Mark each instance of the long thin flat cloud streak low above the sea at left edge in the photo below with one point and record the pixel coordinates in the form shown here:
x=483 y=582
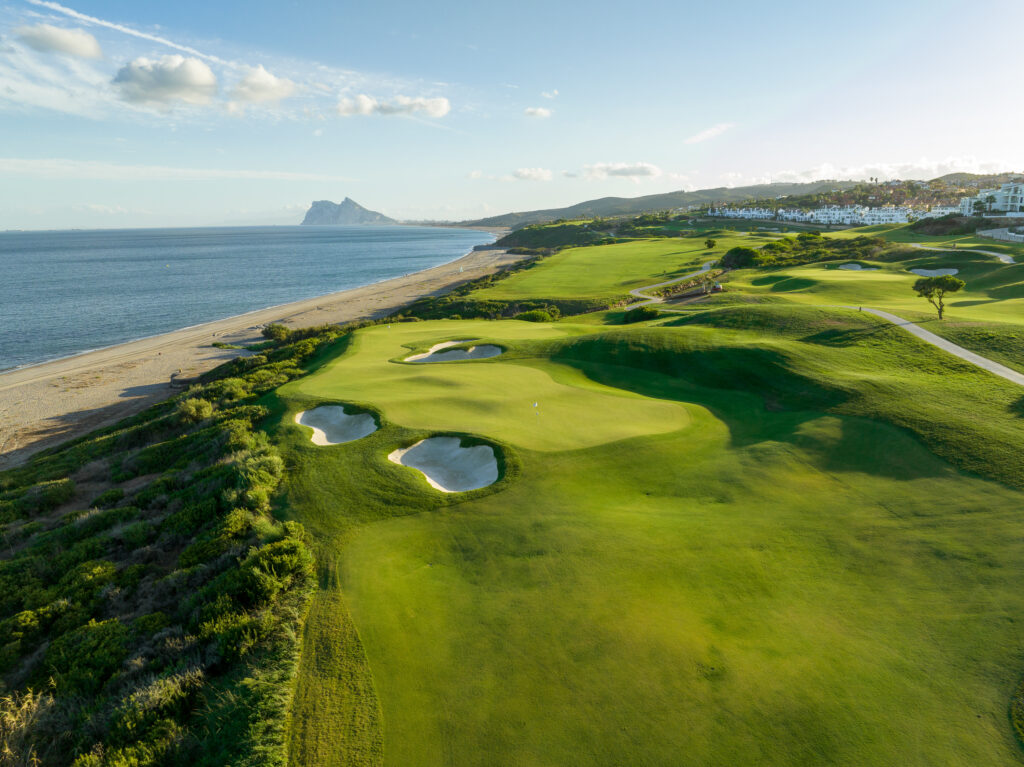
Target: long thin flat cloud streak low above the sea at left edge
x=98 y=172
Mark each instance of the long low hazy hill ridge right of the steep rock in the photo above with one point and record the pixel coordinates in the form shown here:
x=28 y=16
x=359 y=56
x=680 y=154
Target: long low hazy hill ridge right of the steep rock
x=619 y=206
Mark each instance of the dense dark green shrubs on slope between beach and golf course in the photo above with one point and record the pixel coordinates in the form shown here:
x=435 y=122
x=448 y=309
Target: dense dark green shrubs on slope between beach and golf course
x=133 y=690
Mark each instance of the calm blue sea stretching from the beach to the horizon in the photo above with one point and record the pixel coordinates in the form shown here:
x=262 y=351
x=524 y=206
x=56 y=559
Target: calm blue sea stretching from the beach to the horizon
x=67 y=292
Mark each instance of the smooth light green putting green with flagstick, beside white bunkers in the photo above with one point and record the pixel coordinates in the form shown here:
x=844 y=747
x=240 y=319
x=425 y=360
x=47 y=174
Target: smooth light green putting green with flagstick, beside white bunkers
x=490 y=398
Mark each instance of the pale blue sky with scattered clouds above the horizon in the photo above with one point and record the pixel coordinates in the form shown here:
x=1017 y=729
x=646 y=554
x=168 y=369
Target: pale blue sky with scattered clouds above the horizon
x=120 y=114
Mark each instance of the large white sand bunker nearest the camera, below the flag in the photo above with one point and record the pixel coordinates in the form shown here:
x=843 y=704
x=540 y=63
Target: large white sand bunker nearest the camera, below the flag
x=448 y=466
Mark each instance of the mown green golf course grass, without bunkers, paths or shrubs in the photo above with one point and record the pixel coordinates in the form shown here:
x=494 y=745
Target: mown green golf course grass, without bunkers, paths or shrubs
x=761 y=529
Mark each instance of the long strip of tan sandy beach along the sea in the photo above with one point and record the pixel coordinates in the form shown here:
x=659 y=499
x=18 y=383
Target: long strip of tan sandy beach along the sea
x=47 y=404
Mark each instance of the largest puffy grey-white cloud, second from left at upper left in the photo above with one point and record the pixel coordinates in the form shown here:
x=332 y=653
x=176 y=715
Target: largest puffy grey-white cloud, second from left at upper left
x=170 y=78
